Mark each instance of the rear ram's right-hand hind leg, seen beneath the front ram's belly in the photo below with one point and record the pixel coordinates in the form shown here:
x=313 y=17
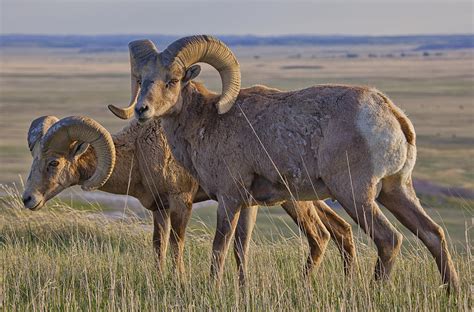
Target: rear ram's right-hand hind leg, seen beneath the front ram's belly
x=341 y=233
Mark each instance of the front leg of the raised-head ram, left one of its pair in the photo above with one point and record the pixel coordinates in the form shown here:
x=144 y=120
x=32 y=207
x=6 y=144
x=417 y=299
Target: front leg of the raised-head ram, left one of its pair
x=227 y=216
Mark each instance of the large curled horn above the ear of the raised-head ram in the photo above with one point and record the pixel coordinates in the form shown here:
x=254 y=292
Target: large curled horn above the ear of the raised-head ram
x=207 y=49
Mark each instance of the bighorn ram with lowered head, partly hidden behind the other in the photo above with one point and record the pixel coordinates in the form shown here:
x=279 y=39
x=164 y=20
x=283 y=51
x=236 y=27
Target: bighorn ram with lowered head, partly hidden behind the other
x=138 y=161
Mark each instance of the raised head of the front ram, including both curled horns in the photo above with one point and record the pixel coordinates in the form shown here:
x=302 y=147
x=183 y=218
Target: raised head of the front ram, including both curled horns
x=158 y=78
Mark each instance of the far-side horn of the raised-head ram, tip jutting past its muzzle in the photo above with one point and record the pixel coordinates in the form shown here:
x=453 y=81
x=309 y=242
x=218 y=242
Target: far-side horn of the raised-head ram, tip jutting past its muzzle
x=140 y=53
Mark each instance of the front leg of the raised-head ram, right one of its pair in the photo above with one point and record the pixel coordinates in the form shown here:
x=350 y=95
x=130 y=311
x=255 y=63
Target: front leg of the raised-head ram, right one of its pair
x=243 y=234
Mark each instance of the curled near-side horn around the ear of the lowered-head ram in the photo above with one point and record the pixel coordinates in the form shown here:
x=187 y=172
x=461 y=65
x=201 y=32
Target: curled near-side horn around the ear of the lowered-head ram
x=60 y=136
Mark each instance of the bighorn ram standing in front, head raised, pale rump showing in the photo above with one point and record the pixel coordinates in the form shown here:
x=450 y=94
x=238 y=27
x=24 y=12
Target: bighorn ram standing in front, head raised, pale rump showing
x=346 y=142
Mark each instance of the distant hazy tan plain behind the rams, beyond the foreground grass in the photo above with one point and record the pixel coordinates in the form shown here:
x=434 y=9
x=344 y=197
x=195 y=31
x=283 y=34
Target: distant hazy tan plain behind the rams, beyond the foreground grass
x=435 y=91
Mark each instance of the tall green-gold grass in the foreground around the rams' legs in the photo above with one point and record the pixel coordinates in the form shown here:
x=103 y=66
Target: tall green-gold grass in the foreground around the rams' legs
x=69 y=260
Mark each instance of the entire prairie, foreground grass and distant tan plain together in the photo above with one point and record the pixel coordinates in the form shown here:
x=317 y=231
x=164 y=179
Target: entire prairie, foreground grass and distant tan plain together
x=75 y=257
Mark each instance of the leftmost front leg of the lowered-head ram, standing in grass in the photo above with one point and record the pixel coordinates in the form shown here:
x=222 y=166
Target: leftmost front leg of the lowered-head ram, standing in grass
x=161 y=232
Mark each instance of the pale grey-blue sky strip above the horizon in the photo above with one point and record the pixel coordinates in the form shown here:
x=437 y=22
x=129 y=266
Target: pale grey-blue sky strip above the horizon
x=261 y=17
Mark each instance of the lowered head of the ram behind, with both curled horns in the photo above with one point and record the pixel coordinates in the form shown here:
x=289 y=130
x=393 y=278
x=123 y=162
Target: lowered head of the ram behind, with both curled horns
x=57 y=146
